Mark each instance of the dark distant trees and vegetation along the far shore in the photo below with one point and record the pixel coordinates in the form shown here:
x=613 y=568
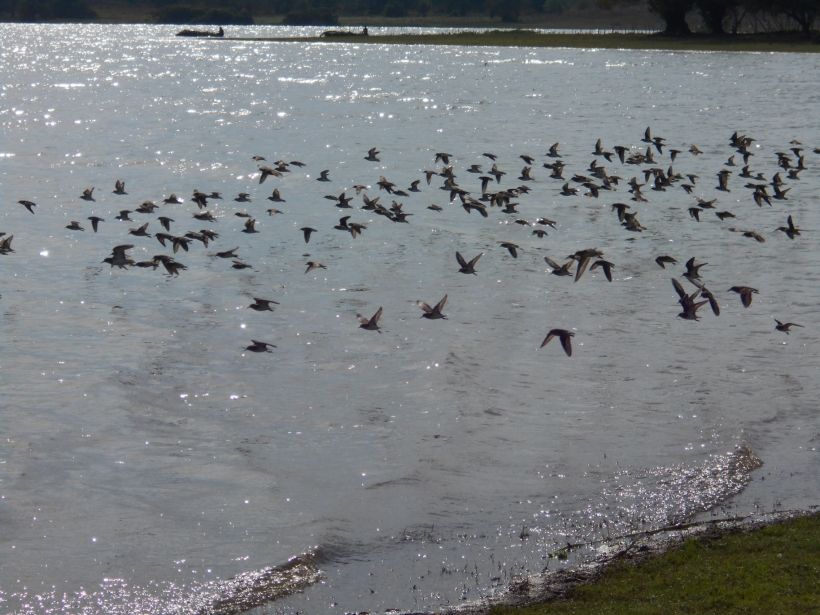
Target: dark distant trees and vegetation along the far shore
x=717 y=17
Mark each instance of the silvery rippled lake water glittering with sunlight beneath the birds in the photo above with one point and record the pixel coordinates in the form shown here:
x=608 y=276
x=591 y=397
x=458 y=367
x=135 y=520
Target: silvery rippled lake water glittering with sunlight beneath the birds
x=146 y=457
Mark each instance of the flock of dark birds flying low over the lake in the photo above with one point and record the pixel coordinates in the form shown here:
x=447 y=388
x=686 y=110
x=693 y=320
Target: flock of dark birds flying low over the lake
x=597 y=181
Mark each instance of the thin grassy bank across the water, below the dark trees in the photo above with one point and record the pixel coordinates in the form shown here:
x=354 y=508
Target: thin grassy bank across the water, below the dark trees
x=785 y=42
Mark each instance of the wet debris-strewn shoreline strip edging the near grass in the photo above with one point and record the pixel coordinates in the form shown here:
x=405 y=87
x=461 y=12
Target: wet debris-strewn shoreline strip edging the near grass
x=635 y=550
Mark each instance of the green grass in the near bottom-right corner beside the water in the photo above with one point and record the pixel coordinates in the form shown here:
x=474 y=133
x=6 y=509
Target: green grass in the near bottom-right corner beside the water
x=771 y=571
